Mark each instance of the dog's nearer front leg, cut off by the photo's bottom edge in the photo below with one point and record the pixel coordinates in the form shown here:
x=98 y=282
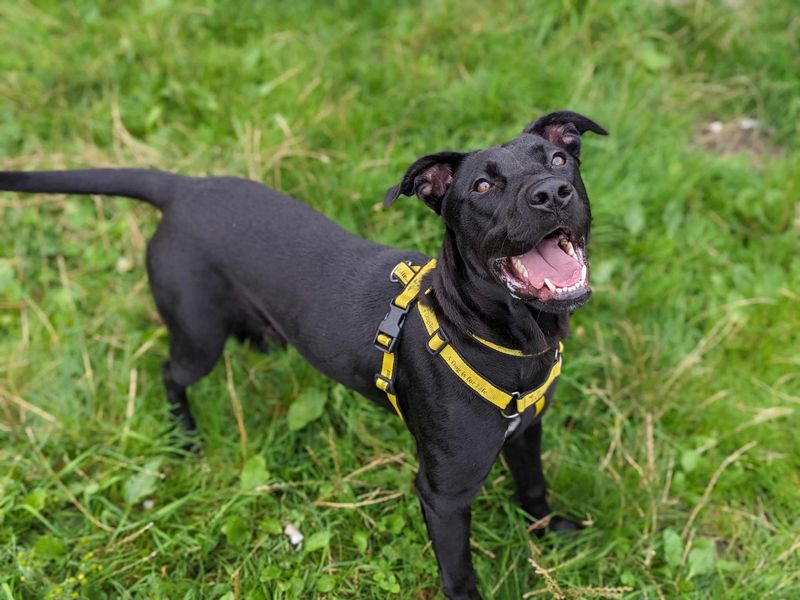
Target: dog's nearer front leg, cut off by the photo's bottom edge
x=447 y=517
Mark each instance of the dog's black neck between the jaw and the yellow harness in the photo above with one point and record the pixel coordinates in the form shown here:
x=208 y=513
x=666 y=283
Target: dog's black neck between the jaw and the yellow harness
x=469 y=300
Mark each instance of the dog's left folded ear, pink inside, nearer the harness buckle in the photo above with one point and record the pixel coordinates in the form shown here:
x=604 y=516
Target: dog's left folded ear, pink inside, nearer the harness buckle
x=429 y=178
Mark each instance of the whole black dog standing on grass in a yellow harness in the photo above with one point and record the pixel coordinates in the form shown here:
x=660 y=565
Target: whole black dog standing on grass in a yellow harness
x=232 y=256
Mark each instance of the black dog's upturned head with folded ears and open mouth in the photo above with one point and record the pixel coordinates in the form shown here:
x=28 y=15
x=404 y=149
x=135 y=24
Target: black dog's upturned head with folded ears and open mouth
x=519 y=211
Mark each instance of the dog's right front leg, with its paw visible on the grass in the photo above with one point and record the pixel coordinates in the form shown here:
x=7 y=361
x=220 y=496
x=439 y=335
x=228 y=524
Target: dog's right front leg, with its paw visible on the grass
x=523 y=453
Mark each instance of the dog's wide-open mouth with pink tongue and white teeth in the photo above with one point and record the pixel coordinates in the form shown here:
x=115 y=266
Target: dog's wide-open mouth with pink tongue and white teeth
x=555 y=269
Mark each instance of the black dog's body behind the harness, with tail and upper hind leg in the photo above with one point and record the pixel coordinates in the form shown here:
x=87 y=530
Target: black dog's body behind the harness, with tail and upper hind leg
x=234 y=257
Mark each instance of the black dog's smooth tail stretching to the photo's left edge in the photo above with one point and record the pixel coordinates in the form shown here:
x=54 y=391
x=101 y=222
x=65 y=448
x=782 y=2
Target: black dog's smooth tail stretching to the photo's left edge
x=154 y=187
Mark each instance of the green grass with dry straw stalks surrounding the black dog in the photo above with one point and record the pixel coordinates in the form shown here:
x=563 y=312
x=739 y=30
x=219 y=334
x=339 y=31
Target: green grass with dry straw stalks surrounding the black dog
x=675 y=428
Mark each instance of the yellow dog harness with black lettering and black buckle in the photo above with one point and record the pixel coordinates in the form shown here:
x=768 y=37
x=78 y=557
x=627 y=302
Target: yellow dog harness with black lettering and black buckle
x=388 y=335
